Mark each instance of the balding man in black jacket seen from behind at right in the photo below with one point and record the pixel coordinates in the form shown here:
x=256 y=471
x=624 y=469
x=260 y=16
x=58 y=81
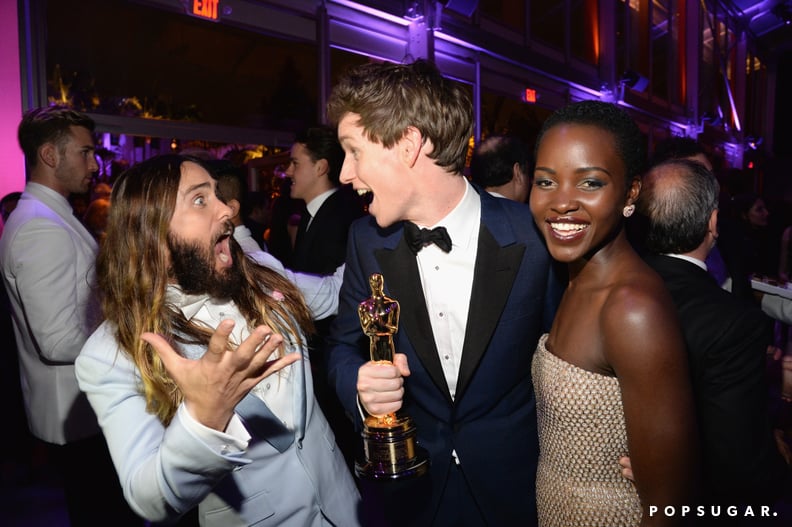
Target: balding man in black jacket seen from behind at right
x=726 y=339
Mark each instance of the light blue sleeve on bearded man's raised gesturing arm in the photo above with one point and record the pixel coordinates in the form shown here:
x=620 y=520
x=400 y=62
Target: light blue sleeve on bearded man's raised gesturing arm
x=164 y=471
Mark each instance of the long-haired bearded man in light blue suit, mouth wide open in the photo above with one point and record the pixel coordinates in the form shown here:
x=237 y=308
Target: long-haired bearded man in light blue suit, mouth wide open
x=198 y=374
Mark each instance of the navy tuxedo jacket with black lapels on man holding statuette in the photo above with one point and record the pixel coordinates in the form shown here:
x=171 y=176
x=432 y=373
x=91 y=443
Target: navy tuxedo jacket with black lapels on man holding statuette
x=491 y=423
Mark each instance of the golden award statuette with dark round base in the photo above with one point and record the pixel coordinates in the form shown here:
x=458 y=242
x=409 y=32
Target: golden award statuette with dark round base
x=389 y=442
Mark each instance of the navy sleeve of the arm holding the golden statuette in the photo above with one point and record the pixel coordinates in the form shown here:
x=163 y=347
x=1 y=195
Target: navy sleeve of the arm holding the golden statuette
x=347 y=345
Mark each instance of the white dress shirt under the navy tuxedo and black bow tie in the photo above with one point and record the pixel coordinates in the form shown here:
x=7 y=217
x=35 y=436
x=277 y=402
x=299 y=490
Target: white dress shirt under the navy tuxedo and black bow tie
x=447 y=280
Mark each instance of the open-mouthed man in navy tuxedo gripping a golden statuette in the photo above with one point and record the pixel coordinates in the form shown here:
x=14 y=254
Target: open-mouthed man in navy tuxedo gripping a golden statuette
x=473 y=302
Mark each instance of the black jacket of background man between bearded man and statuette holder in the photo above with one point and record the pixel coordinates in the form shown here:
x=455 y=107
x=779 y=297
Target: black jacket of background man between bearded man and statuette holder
x=322 y=248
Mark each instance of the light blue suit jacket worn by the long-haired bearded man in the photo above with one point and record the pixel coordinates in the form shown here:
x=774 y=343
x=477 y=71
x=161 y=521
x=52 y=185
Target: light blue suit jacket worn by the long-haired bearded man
x=166 y=471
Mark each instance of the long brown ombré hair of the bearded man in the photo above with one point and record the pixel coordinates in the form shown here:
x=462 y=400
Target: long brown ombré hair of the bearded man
x=132 y=273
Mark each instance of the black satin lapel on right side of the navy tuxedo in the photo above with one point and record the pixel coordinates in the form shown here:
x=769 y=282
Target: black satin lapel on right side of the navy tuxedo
x=493 y=277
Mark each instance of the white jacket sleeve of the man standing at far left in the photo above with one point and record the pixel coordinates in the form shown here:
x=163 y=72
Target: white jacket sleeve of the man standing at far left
x=43 y=258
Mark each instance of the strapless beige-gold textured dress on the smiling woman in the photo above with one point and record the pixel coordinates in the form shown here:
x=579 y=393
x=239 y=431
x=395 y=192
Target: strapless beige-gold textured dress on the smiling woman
x=582 y=434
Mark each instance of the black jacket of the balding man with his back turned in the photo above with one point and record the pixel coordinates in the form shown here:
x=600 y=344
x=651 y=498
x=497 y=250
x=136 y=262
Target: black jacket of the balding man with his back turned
x=726 y=340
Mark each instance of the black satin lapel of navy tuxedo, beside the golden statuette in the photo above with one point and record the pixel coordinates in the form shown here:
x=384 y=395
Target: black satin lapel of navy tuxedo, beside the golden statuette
x=403 y=283
